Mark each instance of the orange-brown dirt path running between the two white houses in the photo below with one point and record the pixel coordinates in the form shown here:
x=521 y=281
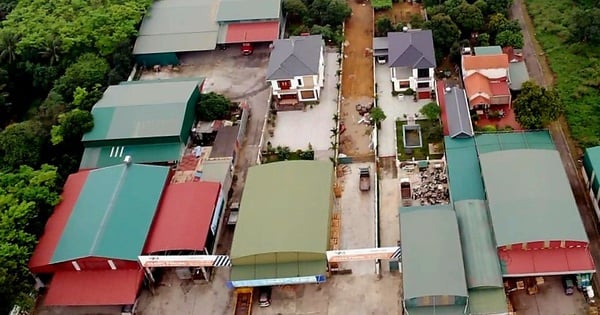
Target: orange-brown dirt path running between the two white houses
x=357 y=80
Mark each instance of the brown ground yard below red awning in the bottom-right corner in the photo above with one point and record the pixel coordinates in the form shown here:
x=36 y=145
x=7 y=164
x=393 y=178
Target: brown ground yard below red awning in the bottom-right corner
x=550 y=300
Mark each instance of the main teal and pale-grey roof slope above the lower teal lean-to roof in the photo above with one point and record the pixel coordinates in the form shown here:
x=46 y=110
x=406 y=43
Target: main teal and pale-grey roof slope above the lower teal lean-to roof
x=144 y=110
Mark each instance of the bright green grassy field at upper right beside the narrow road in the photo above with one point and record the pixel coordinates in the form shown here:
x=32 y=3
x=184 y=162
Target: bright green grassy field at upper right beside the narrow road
x=576 y=66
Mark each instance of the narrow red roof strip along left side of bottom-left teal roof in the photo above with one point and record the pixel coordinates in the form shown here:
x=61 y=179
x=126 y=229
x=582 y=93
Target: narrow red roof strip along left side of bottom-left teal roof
x=39 y=262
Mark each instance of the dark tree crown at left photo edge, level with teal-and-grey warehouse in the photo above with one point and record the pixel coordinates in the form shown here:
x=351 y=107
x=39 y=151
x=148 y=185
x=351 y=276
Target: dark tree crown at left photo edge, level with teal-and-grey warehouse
x=21 y=144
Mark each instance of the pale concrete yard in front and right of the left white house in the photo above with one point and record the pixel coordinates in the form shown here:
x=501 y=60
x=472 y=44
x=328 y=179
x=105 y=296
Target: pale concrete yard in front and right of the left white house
x=296 y=129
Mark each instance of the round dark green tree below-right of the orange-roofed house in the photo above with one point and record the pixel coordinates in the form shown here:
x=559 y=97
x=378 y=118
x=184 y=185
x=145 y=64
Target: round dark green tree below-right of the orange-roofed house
x=536 y=106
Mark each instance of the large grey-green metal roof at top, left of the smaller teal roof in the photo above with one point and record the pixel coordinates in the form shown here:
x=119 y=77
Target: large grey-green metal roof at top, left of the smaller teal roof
x=178 y=25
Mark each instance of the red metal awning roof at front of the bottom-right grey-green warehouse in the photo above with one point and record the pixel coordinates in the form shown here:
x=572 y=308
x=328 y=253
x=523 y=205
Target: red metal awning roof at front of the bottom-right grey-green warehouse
x=547 y=261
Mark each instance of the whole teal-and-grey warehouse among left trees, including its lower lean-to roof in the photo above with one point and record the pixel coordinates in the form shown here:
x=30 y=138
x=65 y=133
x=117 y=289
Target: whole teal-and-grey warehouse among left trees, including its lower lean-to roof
x=148 y=120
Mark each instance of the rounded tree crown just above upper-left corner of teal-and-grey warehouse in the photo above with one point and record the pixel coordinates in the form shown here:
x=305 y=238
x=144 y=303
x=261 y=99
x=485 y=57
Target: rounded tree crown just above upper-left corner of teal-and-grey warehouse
x=88 y=71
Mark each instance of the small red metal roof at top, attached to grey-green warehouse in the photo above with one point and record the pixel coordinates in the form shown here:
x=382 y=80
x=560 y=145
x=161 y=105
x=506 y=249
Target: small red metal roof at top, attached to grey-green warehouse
x=252 y=32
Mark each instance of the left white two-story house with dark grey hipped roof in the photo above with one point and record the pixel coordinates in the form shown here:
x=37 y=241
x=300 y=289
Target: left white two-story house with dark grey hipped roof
x=296 y=71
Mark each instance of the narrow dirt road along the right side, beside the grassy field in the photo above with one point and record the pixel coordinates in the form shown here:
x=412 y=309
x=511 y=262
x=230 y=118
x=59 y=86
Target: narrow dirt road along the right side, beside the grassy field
x=540 y=72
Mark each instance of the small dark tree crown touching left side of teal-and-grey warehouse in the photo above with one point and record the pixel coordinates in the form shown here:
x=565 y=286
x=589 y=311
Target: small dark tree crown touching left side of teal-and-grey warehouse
x=71 y=126
